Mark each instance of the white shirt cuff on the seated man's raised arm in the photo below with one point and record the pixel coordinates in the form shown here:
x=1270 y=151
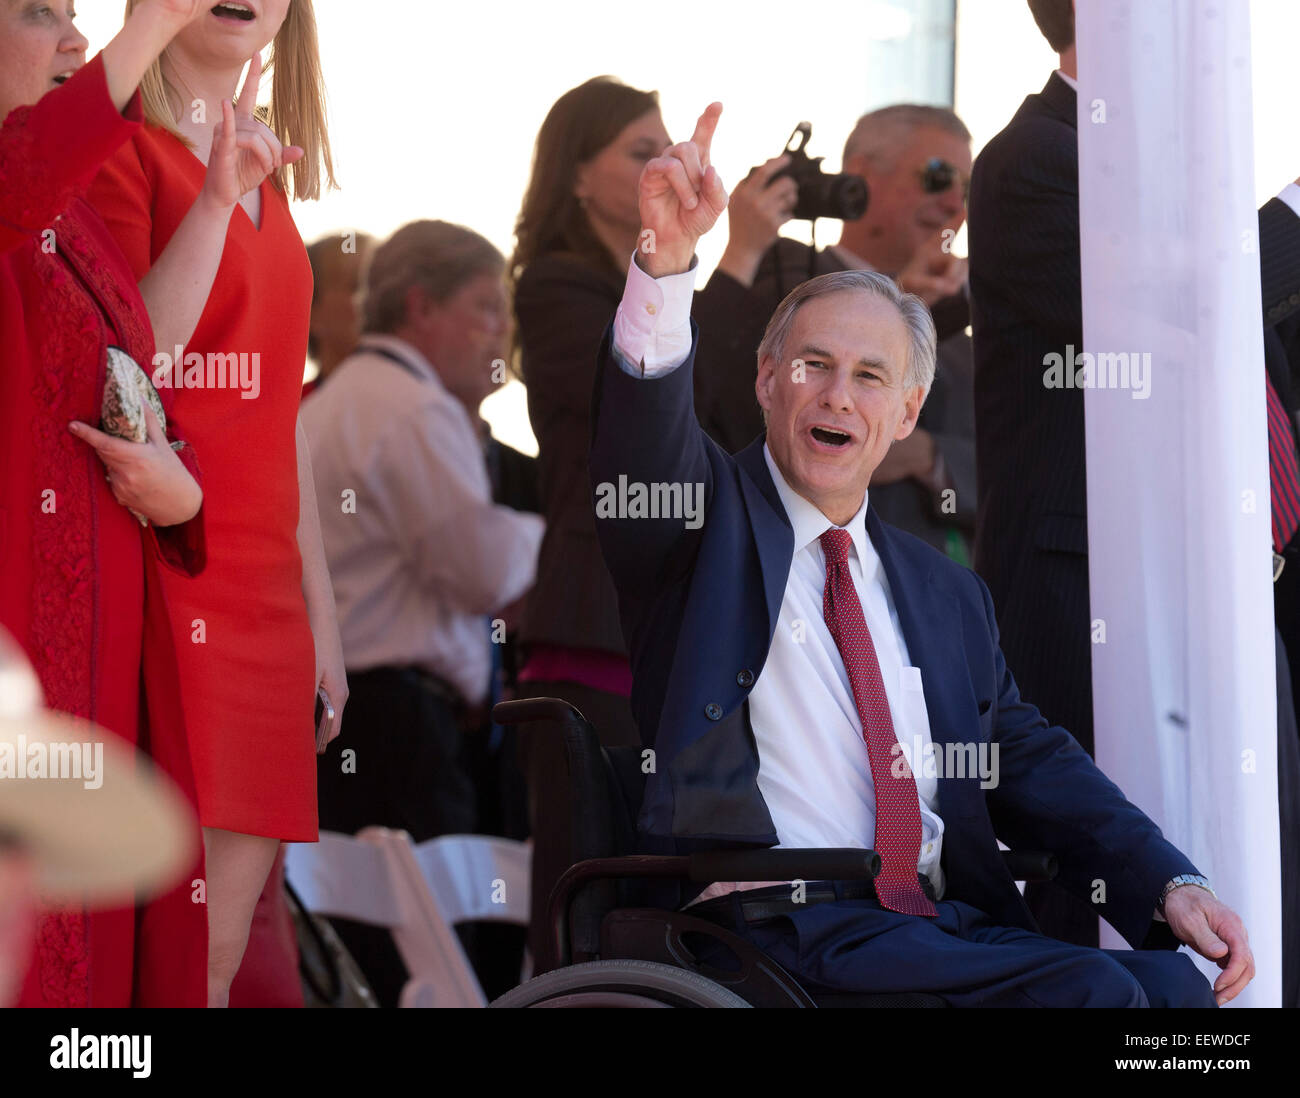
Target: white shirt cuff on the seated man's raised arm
x=652 y=328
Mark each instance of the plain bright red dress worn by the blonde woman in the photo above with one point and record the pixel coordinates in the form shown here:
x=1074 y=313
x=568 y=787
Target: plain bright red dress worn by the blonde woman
x=242 y=637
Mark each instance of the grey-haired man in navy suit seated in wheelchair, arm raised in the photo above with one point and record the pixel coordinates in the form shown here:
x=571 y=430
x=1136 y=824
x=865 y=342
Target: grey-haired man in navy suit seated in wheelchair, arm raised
x=796 y=662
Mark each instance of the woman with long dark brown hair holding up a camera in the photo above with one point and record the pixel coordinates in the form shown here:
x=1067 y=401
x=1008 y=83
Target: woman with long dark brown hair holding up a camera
x=577 y=233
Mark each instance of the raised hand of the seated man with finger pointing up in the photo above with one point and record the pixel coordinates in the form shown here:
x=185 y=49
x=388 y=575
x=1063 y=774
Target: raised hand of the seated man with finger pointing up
x=681 y=198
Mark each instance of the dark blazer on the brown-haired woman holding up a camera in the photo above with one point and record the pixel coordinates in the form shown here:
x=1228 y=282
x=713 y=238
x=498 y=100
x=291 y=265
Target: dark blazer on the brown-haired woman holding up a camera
x=562 y=307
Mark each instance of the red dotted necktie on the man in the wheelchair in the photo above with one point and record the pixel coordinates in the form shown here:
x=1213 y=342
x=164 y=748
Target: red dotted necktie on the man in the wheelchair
x=898 y=805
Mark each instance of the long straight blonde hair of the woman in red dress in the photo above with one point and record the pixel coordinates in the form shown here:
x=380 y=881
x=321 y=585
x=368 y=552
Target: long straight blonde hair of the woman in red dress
x=297 y=114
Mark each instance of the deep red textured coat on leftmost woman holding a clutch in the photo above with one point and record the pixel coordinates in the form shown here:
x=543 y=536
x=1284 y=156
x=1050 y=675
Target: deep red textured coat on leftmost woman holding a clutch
x=79 y=578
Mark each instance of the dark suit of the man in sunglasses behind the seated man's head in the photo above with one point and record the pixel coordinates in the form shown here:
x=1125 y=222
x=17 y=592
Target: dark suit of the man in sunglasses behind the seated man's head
x=729 y=409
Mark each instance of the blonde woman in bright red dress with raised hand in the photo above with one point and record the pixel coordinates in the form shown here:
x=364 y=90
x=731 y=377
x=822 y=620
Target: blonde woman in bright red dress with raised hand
x=255 y=633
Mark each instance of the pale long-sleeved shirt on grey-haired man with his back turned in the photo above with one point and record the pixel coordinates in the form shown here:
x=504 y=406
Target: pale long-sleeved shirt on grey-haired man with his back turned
x=418 y=552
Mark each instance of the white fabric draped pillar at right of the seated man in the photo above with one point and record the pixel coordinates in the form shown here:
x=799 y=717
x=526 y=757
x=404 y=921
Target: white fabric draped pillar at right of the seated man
x=1178 y=479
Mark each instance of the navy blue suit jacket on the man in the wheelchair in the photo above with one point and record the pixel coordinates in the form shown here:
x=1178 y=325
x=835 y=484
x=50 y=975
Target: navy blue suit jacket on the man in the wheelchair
x=699 y=611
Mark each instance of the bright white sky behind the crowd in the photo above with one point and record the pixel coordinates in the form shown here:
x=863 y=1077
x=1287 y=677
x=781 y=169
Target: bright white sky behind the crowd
x=435 y=107
